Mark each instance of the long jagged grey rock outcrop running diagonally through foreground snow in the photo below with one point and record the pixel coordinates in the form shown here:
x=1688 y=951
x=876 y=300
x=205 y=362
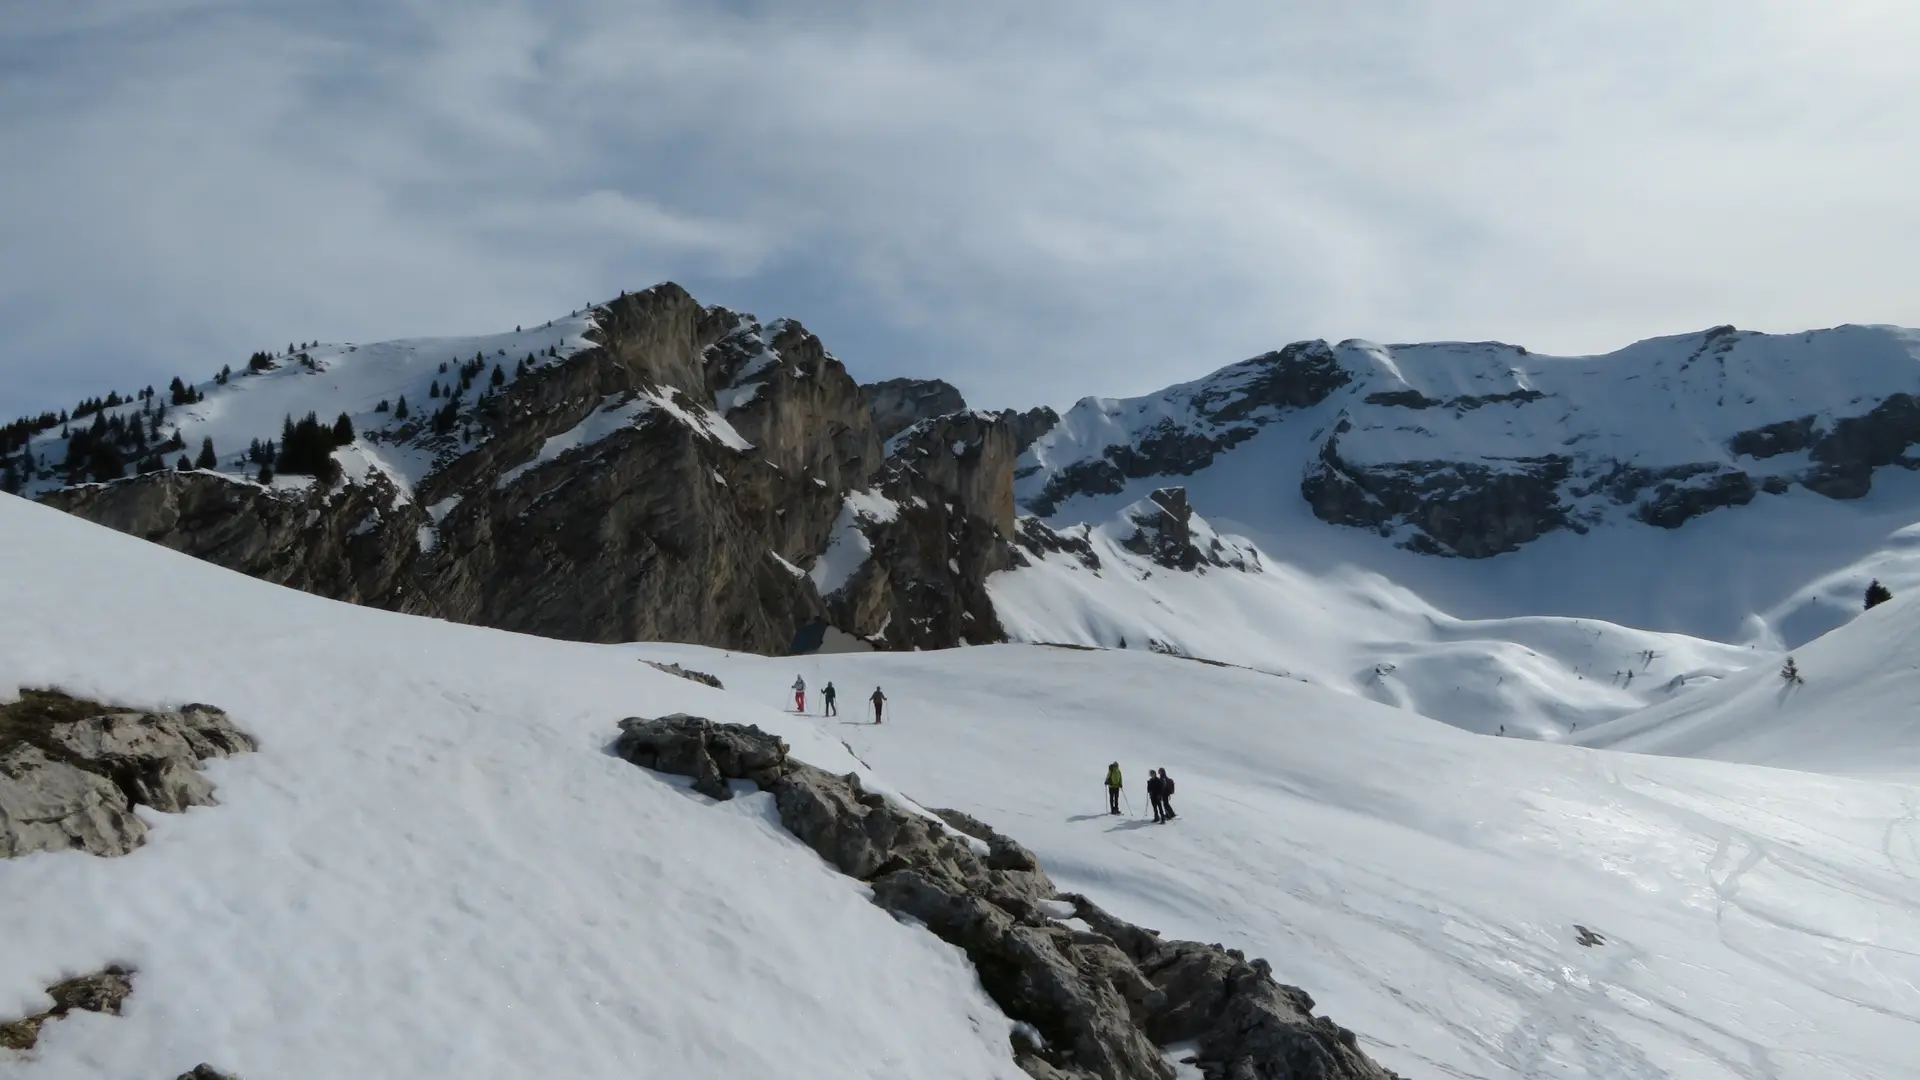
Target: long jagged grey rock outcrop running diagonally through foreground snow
x=1103 y=1002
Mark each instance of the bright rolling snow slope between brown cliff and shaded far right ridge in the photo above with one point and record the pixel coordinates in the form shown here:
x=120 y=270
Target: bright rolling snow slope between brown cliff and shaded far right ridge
x=1351 y=631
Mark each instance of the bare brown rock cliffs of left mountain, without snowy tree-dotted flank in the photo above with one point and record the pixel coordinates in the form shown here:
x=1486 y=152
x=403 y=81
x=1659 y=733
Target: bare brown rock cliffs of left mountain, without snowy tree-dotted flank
x=671 y=479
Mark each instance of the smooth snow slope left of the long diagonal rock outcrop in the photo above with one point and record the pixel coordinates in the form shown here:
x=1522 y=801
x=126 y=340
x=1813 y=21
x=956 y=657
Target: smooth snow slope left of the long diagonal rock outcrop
x=433 y=868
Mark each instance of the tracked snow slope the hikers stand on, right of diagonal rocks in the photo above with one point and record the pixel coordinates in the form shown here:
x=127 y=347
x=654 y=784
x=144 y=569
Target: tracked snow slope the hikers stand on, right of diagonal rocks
x=1424 y=883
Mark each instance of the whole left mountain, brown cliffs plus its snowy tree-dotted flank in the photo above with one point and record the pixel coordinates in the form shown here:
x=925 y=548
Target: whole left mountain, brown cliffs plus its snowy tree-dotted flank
x=646 y=470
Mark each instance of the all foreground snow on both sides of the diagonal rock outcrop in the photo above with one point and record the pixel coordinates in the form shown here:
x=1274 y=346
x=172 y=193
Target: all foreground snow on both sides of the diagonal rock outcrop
x=433 y=868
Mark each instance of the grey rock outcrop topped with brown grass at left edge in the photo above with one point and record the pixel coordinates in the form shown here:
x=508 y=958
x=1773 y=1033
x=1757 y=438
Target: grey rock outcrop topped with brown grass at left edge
x=72 y=772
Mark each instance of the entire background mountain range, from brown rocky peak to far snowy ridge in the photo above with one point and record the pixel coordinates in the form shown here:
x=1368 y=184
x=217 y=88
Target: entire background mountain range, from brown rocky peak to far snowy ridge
x=658 y=470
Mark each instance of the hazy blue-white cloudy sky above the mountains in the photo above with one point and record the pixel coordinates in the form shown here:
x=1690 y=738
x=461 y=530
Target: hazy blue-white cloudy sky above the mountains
x=1034 y=201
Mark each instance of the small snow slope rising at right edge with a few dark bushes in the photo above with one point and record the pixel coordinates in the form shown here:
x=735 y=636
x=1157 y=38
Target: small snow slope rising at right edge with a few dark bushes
x=1856 y=710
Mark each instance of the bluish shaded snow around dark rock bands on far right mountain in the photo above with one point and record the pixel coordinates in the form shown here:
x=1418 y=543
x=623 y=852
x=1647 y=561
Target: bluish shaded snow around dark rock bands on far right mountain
x=1735 y=576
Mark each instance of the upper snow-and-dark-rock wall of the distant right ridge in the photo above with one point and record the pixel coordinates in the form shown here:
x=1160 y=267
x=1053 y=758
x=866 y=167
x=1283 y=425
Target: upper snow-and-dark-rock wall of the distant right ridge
x=1479 y=449
